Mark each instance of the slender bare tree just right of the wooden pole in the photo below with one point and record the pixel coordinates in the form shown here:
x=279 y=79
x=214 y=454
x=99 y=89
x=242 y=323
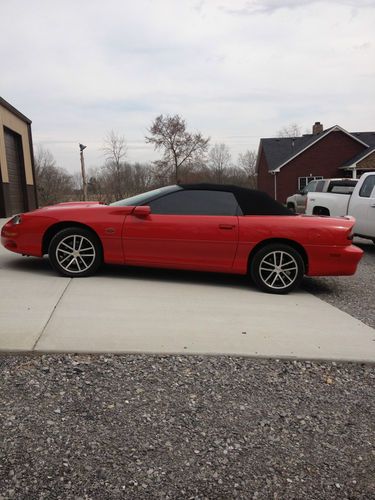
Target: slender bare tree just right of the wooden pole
x=115 y=151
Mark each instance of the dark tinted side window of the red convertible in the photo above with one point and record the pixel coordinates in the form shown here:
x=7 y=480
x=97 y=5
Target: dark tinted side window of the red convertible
x=196 y=202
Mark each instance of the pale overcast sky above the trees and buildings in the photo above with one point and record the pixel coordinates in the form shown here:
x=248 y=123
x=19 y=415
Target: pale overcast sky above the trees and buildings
x=236 y=70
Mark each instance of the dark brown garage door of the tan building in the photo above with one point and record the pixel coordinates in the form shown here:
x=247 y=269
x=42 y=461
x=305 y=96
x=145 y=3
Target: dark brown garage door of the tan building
x=15 y=172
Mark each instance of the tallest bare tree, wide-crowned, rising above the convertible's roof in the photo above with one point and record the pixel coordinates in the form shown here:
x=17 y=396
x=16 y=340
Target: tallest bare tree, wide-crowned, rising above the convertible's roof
x=180 y=148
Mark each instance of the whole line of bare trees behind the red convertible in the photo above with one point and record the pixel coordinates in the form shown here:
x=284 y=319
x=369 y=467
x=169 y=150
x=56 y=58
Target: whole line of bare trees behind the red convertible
x=186 y=157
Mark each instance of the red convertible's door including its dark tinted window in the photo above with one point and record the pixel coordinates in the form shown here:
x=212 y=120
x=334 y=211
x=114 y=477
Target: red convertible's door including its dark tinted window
x=187 y=229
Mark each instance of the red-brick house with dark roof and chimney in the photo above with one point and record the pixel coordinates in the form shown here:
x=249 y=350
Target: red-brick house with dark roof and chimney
x=286 y=164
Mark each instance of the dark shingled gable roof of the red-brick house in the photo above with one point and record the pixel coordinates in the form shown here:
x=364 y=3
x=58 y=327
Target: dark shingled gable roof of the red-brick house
x=281 y=150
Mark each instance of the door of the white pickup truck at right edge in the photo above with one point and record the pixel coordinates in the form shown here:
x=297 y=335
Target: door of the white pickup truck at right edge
x=362 y=207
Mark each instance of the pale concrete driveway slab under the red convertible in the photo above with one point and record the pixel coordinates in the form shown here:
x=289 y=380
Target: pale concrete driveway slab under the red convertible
x=157 y=311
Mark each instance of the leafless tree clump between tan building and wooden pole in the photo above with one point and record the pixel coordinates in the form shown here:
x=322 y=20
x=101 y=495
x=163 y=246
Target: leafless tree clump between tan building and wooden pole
x=53 y=183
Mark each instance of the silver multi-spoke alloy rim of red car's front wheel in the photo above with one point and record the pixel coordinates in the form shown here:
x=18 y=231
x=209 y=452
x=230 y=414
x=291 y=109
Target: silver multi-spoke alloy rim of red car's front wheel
x=75 y=253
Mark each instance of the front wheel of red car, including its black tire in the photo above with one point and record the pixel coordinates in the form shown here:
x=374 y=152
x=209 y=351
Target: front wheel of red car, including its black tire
x=75 y=252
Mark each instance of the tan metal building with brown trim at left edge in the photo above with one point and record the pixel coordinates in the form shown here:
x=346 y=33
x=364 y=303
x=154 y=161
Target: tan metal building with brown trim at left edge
x=17 y=177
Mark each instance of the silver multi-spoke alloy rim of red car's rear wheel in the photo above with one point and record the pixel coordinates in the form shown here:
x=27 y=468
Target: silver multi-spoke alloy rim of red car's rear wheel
x=278 y=269
